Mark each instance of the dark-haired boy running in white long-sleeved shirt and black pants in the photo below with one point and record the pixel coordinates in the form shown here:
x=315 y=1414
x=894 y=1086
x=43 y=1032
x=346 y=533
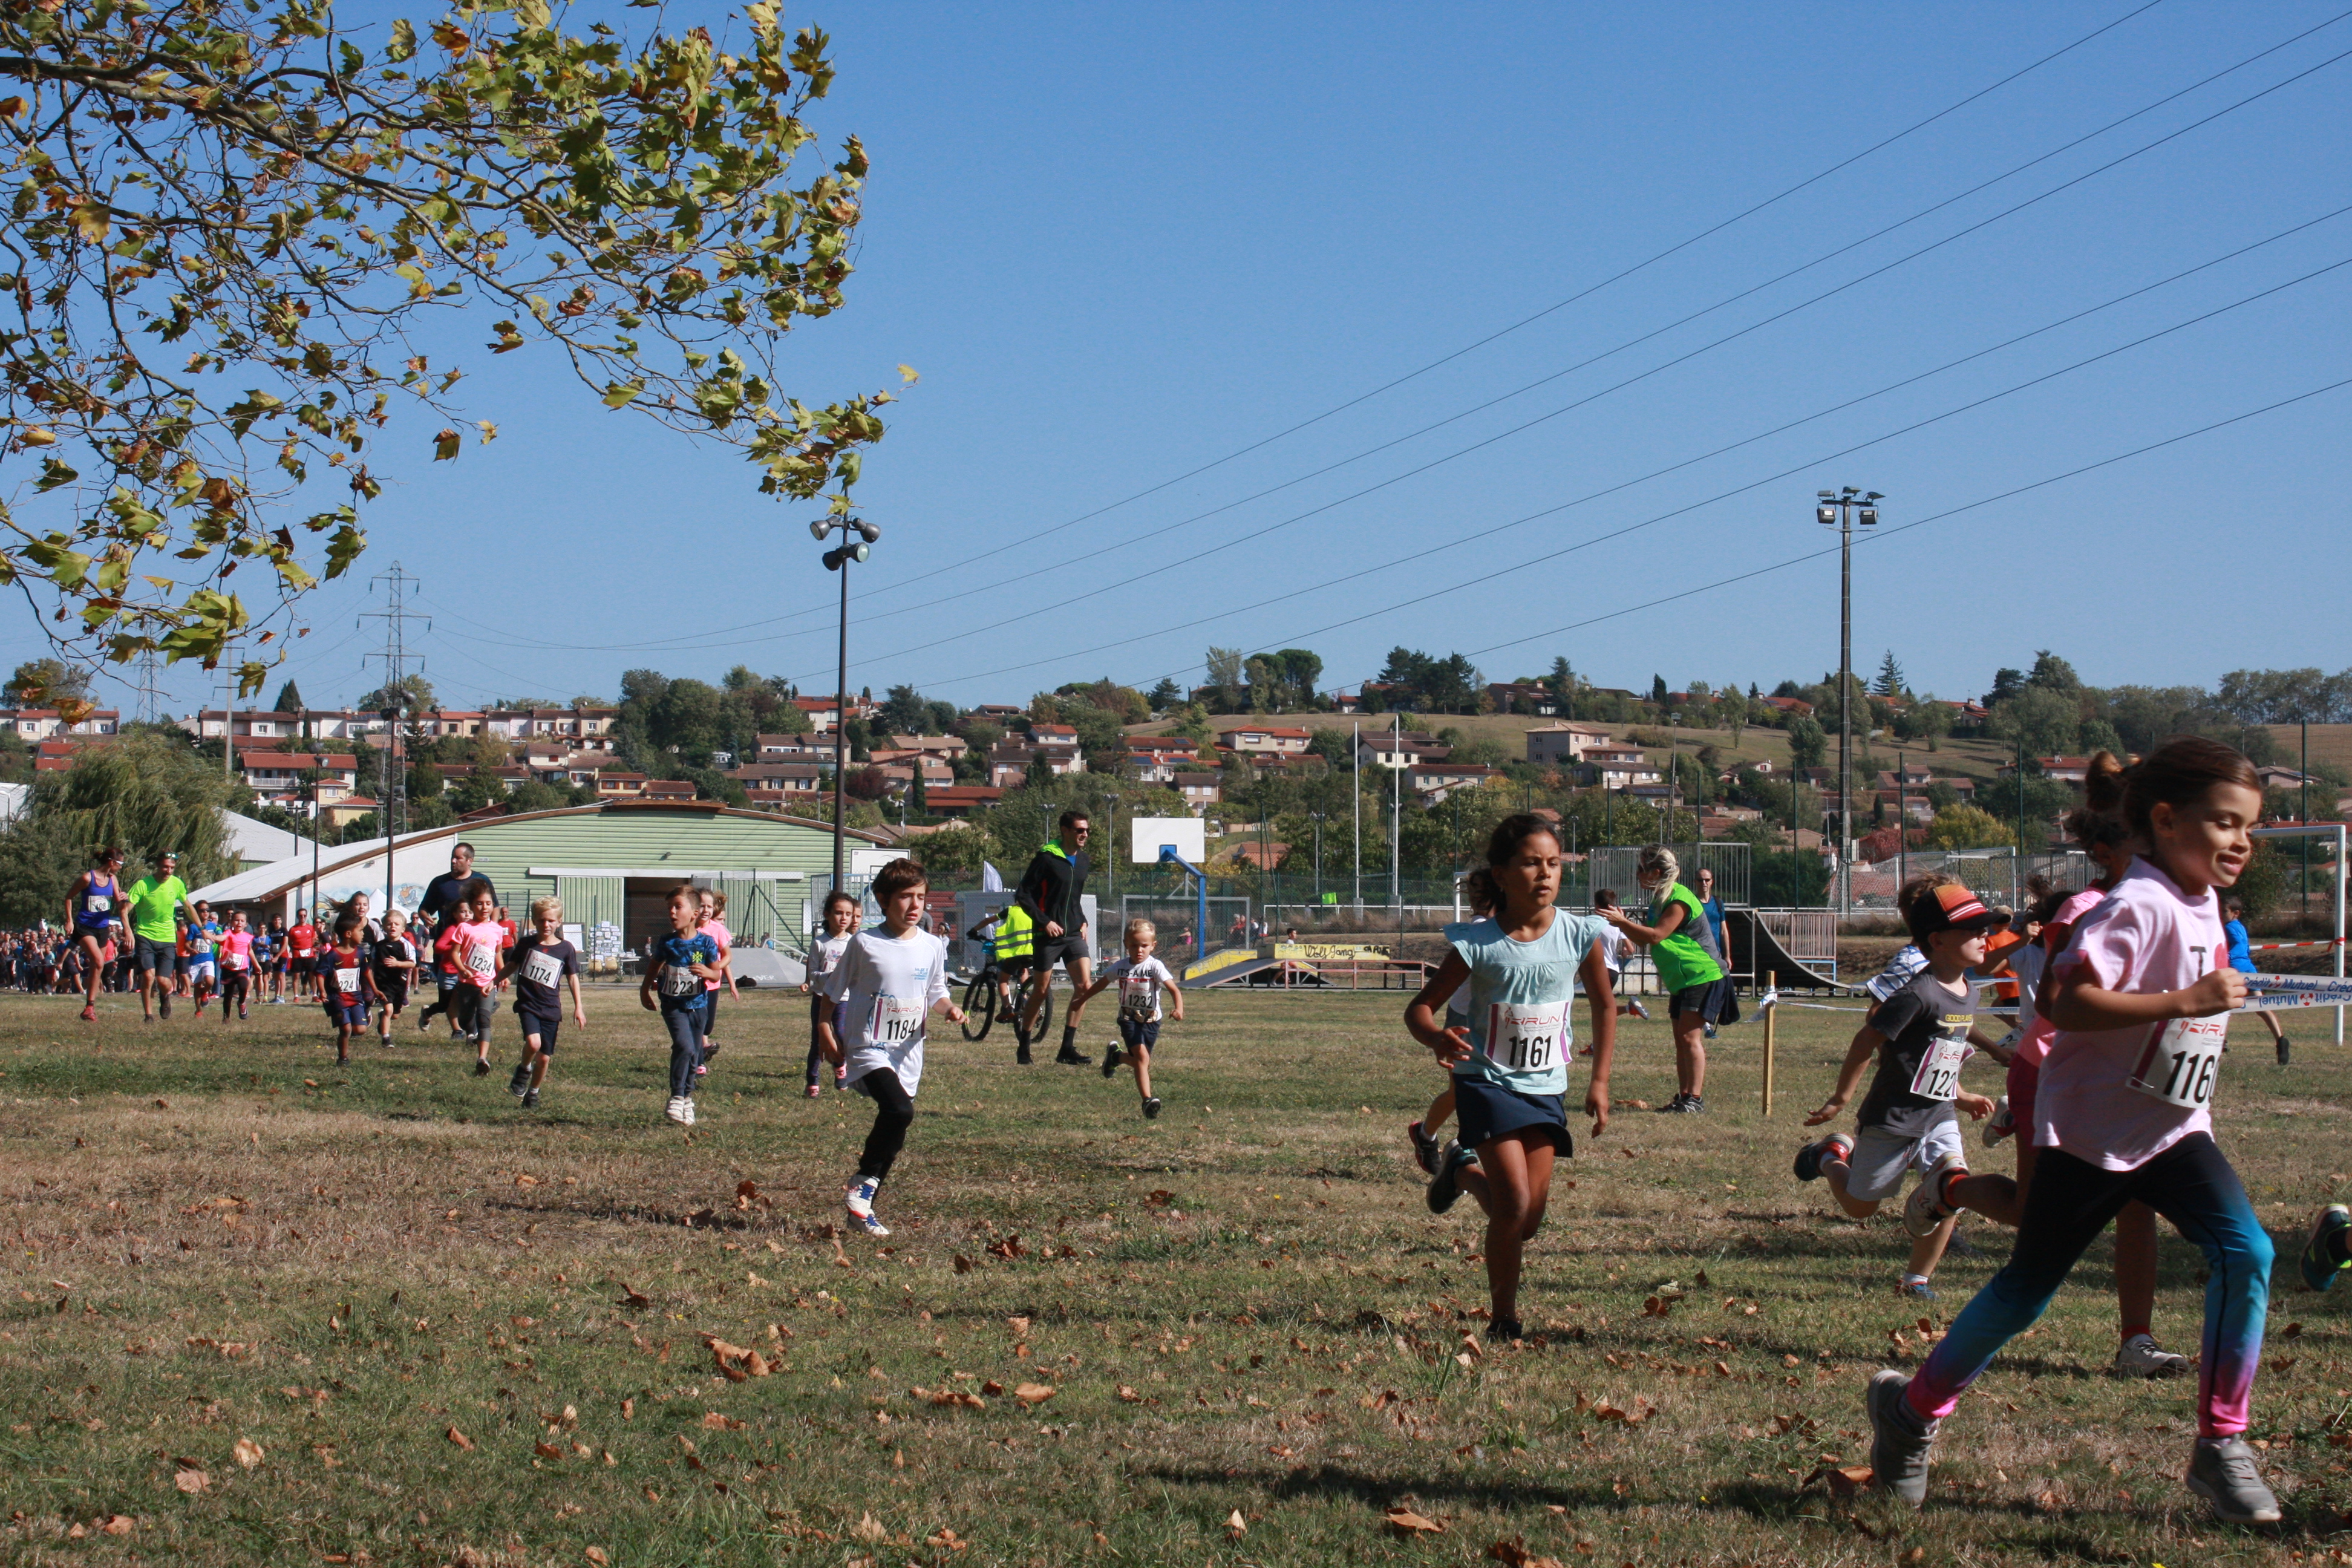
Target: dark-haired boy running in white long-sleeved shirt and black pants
x=881 y=996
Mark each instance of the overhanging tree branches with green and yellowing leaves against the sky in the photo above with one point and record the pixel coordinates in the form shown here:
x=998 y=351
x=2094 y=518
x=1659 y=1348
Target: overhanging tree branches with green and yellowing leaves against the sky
x=229 y=232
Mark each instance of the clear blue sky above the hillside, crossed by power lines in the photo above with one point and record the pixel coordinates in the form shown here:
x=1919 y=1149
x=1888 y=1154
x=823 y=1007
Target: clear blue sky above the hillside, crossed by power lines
x=1123 y=243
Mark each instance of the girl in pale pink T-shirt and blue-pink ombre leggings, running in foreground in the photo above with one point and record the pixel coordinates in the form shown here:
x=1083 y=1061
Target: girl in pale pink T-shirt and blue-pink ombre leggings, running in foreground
x=2141 y=1000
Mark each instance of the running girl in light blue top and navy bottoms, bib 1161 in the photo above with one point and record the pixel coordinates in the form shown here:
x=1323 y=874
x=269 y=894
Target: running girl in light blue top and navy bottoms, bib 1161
x=1511 y=1064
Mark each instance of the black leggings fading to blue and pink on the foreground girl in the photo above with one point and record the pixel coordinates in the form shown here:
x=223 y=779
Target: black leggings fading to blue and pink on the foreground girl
x=2066 y=1207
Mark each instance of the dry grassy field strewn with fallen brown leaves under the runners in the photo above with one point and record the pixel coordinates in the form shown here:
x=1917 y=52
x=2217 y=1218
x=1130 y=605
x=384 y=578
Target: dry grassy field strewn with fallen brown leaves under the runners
x=265 y=1311
